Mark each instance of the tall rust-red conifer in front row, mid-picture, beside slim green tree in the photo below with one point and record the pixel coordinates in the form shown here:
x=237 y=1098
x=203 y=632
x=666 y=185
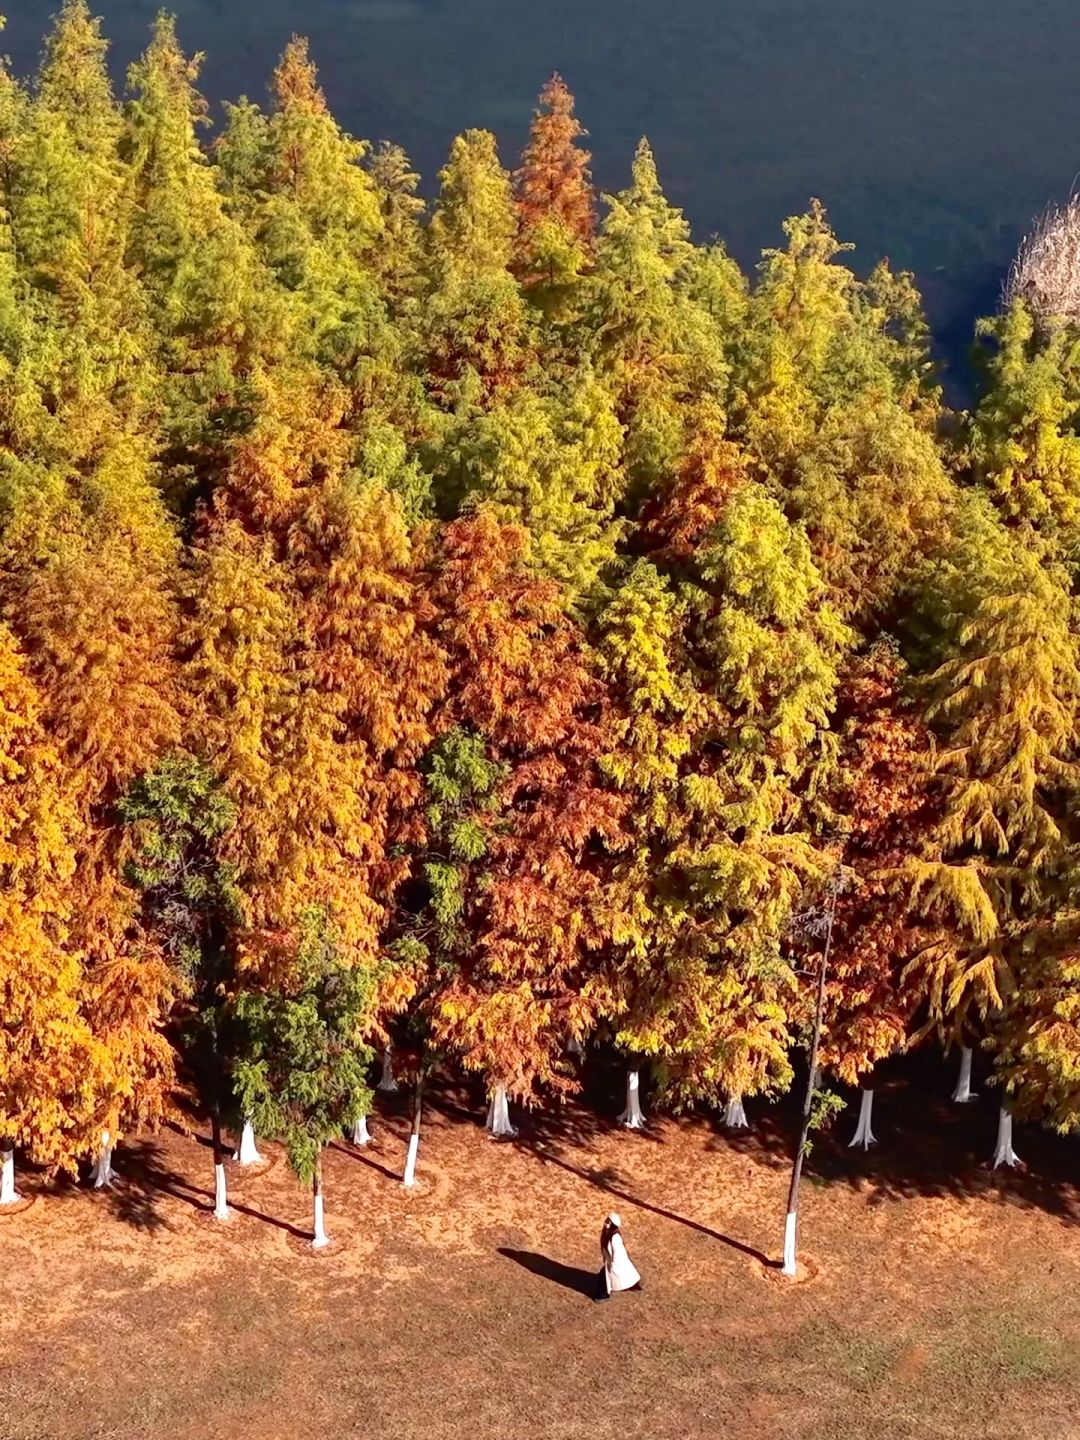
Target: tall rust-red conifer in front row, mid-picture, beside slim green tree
x=516 y=813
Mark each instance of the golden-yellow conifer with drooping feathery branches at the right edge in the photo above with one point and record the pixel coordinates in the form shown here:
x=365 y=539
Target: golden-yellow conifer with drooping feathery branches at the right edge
x=1004 y=706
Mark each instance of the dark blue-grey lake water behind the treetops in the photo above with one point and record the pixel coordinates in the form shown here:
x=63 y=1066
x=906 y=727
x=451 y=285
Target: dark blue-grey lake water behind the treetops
x=931 y=129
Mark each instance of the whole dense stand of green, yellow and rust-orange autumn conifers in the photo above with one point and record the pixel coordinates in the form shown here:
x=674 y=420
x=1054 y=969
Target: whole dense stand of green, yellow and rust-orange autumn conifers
x=460 y=636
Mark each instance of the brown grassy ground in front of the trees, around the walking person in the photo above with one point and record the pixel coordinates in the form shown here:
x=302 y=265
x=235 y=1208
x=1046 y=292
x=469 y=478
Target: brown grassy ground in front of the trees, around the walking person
x=942 y=1301
